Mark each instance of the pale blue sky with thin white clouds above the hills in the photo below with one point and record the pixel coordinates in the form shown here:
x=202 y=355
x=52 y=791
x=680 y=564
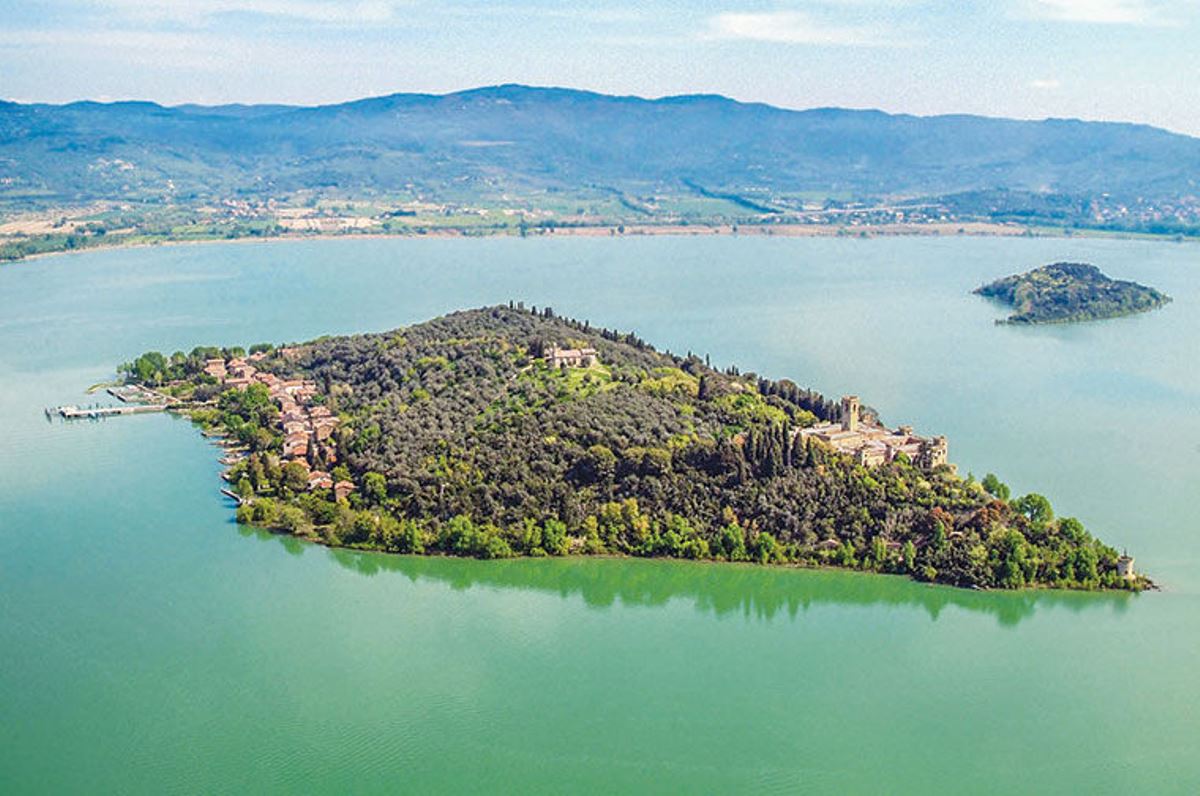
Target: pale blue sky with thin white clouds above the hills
x=1129 y=61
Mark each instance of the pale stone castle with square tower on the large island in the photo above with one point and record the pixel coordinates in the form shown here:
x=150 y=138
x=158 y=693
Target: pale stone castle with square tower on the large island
x=872 y=444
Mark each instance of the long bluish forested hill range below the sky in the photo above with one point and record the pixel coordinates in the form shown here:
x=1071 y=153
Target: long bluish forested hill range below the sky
x=515 y=137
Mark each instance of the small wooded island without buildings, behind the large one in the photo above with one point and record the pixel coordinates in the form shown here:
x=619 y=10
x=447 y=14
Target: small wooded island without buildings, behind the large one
x=1070 y=292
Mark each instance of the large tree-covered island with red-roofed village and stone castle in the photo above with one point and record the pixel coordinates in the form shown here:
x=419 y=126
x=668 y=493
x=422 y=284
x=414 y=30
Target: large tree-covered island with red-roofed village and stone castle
x=511 y=432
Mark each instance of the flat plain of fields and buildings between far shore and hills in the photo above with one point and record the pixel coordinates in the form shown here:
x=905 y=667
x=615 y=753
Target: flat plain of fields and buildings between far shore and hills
x=32 y=232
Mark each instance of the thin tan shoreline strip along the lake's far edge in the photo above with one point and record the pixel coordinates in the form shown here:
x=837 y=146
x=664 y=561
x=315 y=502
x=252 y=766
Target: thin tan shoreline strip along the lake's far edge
x=941 y=230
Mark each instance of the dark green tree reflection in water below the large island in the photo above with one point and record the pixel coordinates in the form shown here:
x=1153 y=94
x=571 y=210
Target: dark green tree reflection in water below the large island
x=745 y=590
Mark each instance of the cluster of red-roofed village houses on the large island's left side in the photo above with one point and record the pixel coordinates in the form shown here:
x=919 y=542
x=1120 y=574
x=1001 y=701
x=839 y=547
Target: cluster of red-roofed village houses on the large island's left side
x=308 y=427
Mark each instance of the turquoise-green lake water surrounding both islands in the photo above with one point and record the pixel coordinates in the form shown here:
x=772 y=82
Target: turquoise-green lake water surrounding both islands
x=151 y=645
